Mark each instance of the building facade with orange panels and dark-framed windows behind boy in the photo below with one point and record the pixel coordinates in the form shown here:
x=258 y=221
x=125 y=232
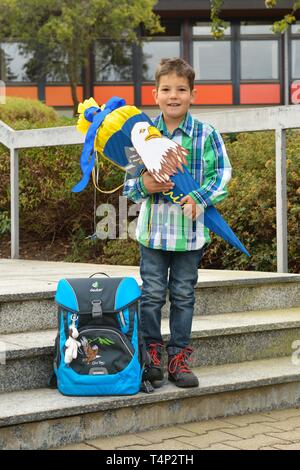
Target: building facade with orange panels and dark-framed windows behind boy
x=249 y=66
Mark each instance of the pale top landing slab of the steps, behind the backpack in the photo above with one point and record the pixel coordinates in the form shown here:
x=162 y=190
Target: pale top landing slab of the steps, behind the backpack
x=24 y=279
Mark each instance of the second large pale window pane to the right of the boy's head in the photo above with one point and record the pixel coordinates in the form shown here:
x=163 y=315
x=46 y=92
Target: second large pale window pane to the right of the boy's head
x=259 y=60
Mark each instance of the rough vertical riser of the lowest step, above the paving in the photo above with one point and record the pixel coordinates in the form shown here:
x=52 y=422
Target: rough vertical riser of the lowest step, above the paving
x=75 y=429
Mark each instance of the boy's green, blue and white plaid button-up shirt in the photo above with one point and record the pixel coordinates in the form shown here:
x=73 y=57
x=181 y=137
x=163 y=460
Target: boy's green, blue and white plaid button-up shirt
x=161 y=224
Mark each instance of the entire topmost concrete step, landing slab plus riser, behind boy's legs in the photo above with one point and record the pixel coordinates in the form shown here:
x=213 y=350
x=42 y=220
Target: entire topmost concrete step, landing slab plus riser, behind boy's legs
x=27 y=291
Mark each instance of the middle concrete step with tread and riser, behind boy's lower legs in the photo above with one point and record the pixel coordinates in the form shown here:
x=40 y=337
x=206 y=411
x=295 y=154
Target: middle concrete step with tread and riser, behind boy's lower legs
x=216 y=339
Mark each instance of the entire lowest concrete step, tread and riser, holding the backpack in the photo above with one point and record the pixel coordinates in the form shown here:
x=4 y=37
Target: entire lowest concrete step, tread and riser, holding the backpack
x=43 y=418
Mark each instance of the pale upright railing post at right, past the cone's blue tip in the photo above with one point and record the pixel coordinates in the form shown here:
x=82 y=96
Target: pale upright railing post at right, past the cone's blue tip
x=281 y=201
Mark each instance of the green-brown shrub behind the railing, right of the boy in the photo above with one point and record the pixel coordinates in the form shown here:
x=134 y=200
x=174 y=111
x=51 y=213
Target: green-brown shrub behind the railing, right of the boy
x=250 y=208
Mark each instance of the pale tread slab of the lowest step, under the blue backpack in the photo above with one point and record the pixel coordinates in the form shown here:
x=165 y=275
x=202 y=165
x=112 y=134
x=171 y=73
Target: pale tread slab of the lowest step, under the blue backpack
x=37 y=405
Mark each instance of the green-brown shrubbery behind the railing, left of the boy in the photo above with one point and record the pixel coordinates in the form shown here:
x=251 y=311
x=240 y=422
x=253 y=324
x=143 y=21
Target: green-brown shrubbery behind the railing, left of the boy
x=48 y=208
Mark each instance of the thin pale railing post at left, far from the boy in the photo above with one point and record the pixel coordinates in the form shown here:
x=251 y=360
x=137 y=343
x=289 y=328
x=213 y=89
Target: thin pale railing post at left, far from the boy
x=14 y=202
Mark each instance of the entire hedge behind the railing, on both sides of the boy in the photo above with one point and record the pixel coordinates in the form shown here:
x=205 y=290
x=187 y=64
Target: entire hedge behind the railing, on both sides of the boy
x=49 y=211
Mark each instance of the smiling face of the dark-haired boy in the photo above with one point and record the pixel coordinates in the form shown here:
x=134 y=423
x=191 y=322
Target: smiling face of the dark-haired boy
x=174 y=96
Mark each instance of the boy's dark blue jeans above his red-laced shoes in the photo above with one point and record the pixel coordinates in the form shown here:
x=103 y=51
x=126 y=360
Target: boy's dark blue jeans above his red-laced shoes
x=177 y=271
